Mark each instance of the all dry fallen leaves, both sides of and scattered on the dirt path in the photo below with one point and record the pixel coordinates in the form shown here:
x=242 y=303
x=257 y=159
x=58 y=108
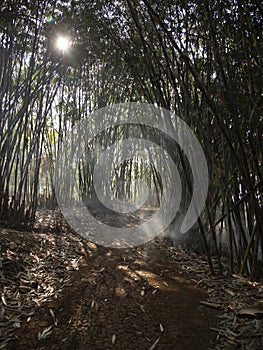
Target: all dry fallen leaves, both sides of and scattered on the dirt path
x=36 y=266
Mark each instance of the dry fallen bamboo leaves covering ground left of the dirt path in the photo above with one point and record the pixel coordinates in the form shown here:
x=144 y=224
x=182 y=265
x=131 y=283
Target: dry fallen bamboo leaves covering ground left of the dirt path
x=34 y=268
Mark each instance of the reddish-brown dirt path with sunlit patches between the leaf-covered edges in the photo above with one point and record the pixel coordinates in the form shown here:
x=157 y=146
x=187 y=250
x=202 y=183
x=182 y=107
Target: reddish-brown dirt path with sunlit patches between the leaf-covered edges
x=123 y=299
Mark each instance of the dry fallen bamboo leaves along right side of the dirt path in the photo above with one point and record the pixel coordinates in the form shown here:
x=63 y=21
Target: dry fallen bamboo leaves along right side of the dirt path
x=238 y=301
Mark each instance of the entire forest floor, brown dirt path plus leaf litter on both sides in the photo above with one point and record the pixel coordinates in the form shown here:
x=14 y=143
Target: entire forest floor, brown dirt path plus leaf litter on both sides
x=59 y=291
